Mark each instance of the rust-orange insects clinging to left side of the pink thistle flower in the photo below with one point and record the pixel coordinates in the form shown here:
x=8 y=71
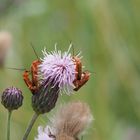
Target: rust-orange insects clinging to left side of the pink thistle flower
x=32 y=83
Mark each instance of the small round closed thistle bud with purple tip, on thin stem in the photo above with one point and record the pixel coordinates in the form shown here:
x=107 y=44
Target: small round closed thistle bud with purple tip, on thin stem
x=12 y=98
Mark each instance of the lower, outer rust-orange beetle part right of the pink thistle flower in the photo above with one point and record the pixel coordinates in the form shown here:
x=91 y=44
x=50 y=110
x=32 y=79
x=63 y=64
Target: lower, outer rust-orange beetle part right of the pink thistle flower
x=79 y=83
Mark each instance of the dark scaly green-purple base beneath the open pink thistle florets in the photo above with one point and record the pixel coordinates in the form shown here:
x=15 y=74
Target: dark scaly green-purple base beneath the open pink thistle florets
x=45 y=99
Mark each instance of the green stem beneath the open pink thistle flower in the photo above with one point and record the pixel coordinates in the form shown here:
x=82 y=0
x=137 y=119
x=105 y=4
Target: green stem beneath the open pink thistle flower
x=28 y=130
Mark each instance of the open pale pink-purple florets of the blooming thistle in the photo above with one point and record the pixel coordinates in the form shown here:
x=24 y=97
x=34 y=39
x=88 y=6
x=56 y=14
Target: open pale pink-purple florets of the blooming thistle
x=59 y=68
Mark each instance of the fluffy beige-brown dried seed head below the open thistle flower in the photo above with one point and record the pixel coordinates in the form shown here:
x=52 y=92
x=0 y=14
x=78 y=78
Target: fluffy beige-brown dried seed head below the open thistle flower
x=72 y=119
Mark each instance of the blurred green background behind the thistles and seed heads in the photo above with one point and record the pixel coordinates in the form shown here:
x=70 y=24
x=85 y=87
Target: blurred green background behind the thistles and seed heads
x=108 y=34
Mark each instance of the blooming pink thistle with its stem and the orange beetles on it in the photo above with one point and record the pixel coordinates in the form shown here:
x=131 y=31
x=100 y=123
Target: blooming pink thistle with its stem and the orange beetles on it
x=58 y=72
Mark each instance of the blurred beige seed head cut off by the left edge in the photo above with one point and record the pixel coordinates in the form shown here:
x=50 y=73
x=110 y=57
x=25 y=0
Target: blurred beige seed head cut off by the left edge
x=5 y=44
